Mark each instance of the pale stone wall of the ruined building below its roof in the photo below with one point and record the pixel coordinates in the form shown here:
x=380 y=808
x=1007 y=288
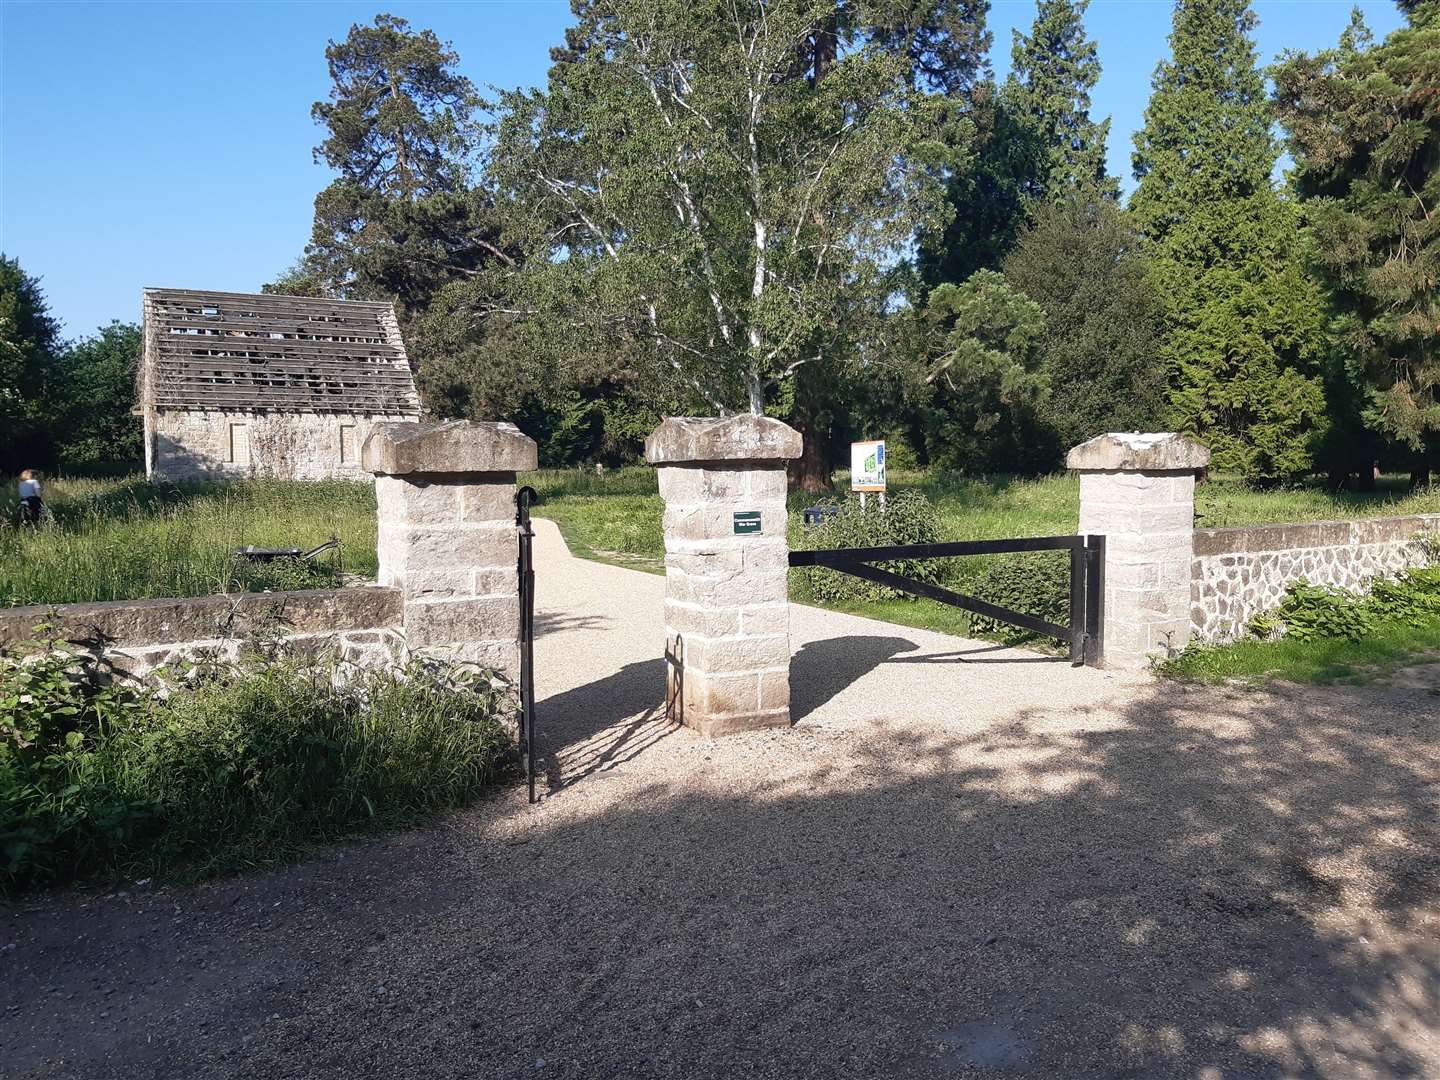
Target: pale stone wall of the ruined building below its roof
x=198 y=444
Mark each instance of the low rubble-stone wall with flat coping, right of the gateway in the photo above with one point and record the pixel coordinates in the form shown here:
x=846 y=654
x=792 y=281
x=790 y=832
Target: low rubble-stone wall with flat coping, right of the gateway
x=1238 y=574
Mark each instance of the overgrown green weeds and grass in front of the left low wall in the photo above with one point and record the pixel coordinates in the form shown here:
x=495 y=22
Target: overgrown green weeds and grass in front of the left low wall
x=230 y=770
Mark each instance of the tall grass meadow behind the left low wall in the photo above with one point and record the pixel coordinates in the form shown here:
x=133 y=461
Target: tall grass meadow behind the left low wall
x=129 y=539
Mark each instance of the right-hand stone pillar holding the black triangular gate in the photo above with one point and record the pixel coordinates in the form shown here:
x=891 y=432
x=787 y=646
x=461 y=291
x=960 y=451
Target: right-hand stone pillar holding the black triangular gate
x=1140 y=492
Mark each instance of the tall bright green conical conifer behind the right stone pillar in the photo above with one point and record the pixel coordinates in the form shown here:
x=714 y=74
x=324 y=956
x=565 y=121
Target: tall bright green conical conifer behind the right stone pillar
x=1246 y=342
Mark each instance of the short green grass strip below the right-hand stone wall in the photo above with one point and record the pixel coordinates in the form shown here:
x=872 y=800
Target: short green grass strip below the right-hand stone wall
x=1327 y=660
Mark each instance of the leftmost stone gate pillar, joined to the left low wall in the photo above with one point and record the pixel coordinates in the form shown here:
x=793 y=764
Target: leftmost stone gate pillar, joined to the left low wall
x=446 y=502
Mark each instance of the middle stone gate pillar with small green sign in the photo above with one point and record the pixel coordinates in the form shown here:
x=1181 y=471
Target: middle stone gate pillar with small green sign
x=728 y=629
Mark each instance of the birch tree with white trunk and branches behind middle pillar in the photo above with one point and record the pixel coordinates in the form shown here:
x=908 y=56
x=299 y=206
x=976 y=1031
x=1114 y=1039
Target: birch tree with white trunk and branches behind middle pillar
x=695 y=191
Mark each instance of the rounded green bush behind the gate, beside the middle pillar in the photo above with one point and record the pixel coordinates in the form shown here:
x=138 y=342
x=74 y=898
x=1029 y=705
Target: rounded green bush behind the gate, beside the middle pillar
x=908 y=519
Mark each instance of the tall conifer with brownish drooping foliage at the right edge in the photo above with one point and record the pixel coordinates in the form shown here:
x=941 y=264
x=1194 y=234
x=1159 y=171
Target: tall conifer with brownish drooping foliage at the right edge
x=1364 y=127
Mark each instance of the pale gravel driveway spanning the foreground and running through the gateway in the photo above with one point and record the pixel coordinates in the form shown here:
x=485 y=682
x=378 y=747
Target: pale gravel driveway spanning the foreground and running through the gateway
x=963 y=862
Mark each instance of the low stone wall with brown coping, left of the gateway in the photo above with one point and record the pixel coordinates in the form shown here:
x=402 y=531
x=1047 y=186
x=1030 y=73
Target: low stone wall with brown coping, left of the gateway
x=361 y=627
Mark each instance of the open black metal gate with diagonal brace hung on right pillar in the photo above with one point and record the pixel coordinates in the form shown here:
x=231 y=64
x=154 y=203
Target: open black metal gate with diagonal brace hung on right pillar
x=1085 y=630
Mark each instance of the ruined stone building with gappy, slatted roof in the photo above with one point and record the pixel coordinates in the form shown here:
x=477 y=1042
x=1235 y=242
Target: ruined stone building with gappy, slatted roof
x=246 y=385
